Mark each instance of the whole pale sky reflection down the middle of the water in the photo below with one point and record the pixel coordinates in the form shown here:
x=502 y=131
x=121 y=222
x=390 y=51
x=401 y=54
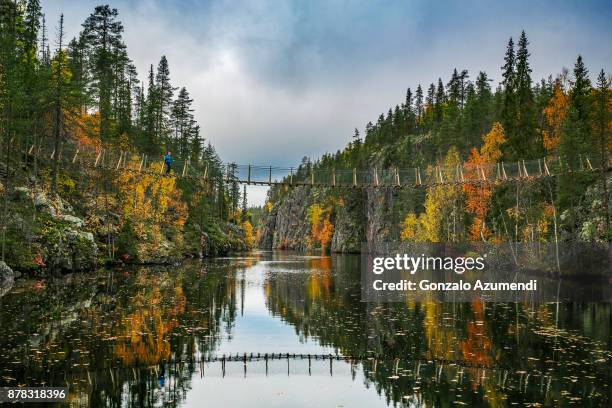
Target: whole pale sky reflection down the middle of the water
x=258 y=331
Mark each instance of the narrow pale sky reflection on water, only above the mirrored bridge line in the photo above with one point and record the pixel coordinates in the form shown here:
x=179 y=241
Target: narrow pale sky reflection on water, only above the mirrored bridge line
x=255 y=329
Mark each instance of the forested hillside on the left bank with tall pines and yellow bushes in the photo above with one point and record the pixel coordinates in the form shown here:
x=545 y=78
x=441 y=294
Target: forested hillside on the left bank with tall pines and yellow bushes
x=56 y=93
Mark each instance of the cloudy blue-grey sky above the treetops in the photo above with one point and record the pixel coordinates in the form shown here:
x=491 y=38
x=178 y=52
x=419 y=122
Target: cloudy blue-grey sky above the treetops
x=274 y=81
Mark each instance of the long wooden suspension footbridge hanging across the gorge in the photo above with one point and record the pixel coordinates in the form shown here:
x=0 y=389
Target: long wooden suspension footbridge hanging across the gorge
x=432 y=175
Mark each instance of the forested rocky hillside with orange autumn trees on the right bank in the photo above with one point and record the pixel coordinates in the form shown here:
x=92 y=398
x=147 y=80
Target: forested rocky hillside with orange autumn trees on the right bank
x=467 y=119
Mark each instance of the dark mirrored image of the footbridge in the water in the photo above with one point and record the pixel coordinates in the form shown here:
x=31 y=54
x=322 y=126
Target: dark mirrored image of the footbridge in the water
x=384 y=368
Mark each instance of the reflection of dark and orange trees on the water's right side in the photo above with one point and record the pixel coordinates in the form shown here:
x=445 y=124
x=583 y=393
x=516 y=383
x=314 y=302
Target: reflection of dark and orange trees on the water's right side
x=434 y=354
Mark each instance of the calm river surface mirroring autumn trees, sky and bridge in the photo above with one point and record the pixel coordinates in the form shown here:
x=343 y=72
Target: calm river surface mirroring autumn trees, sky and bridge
x=143 y=337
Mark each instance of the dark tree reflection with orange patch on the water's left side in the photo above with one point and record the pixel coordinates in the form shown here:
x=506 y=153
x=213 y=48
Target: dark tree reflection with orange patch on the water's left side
x=115 y=338
